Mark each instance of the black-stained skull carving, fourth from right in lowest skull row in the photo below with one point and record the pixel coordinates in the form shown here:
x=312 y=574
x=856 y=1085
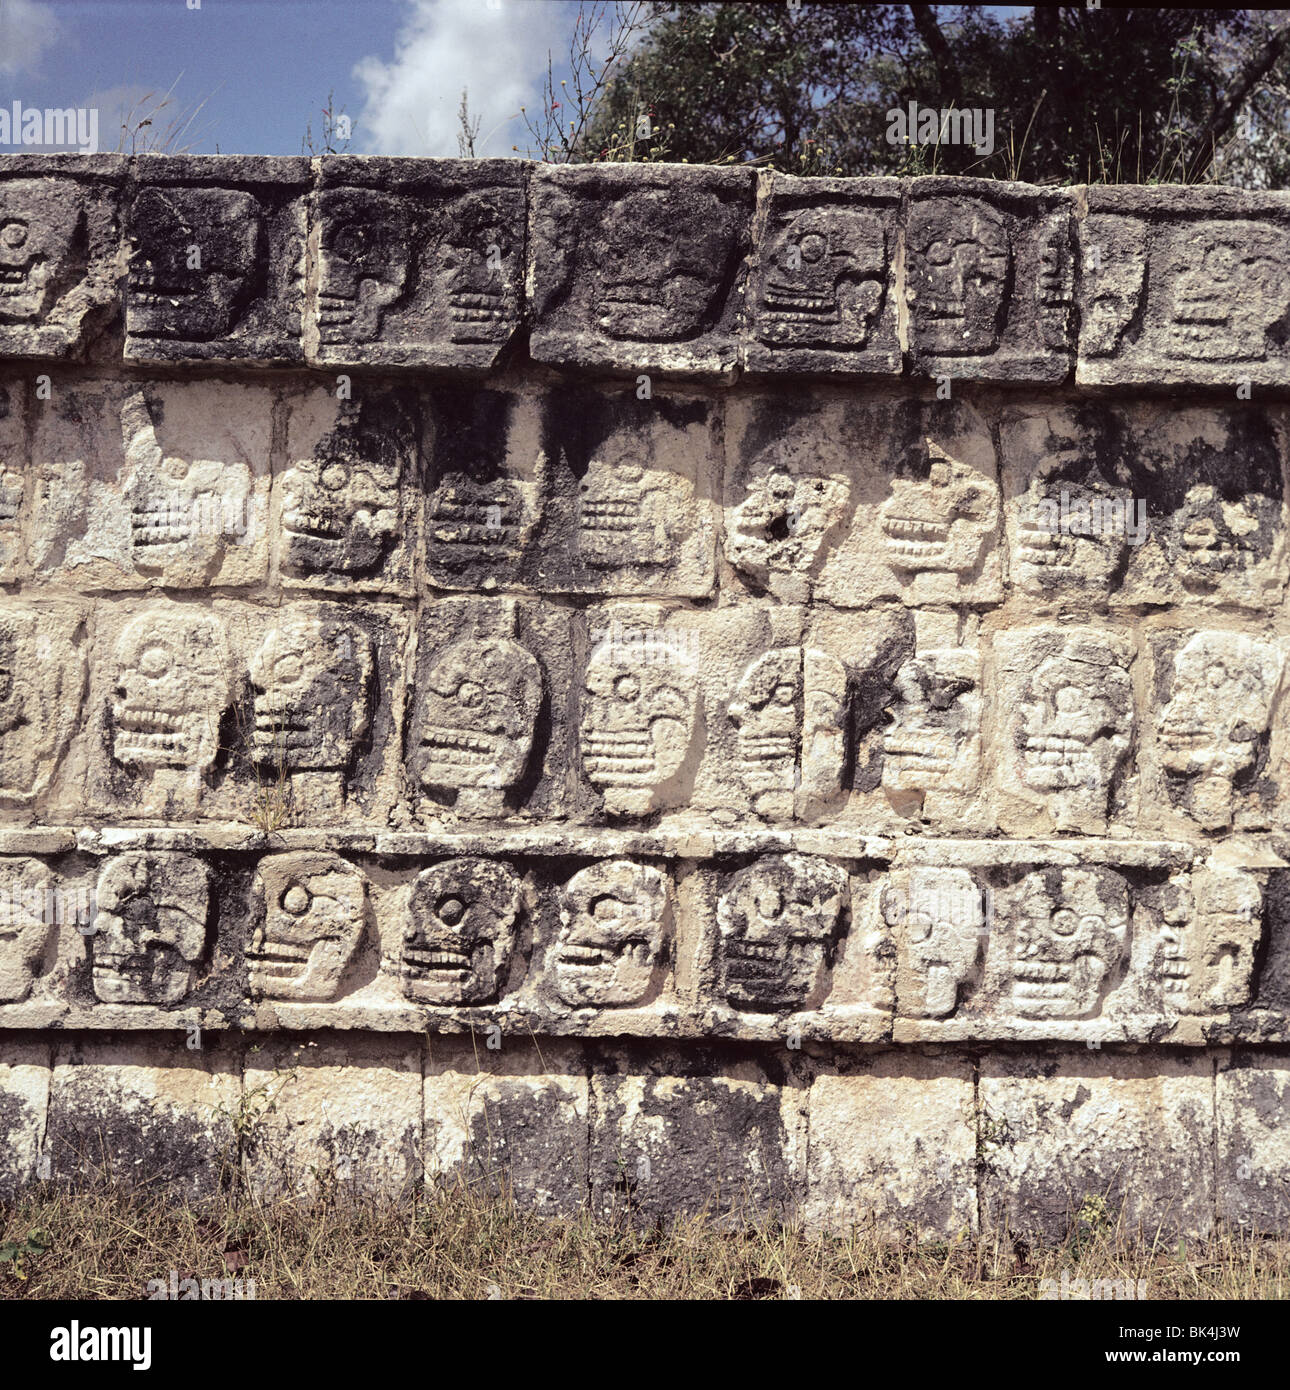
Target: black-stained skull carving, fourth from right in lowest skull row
x=779 y=919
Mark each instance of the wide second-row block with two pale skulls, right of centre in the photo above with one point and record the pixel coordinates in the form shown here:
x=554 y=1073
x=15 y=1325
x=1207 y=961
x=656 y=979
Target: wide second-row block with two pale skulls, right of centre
x=863 y=501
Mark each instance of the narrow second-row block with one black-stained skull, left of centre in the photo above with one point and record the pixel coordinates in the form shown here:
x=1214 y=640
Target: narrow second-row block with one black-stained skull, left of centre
x=345 y=509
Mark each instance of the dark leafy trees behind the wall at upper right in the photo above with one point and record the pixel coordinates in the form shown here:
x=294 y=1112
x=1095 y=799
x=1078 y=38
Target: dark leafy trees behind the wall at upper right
x=1078 y=95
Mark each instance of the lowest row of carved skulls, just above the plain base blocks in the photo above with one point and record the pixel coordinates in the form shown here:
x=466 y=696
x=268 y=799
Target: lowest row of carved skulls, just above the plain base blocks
x=781 y=922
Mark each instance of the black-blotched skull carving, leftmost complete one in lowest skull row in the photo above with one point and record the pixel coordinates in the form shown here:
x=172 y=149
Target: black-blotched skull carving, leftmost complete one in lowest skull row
x=152 y=915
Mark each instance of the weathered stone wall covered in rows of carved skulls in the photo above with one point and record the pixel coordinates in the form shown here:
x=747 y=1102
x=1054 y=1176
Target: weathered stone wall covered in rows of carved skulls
x=664 y=685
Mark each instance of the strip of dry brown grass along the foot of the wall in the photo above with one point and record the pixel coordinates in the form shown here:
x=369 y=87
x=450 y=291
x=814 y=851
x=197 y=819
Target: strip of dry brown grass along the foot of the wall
x=458 y=1243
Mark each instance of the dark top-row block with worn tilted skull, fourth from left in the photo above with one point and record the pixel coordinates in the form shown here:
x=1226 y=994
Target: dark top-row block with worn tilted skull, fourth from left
x=639 y=268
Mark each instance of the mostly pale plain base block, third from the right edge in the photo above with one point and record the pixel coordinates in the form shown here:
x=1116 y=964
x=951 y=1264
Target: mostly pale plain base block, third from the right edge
x=893 y=1146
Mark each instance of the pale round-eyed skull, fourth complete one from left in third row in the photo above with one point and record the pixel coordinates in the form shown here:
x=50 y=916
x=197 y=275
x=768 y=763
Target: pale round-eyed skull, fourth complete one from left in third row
x=639 y=722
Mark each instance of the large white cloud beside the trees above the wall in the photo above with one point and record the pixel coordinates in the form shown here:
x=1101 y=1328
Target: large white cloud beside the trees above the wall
x=497 y=49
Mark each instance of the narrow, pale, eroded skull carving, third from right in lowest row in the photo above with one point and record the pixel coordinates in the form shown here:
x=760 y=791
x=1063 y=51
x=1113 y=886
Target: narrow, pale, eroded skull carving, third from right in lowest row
x=939 y=919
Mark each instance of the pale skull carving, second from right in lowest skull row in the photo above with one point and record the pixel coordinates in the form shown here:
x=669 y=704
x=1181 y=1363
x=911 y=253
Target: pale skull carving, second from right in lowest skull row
x=1071 y=928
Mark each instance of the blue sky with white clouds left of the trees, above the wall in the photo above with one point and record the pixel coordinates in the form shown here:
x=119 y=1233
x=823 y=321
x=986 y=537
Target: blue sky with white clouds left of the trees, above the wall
x=261 y=70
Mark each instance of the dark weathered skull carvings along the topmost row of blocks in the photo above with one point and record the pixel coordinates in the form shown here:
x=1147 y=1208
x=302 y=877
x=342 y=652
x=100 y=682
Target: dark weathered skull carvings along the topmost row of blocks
x=661 y=266
